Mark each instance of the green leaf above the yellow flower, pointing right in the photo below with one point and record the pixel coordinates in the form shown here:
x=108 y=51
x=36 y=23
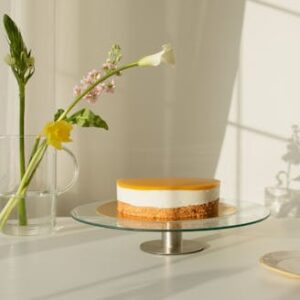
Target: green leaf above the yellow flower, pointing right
x=86 y=118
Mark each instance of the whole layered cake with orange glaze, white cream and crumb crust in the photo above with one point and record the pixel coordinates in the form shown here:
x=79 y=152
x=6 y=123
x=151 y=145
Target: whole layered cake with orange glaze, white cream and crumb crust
x=167 y=199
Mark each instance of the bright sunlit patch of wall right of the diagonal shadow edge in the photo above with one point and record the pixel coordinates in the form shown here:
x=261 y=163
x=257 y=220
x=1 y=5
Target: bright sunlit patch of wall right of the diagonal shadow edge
x=265 y=101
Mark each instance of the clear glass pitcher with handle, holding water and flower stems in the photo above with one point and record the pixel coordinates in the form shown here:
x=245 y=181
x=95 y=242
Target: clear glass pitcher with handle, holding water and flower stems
x=39 y=202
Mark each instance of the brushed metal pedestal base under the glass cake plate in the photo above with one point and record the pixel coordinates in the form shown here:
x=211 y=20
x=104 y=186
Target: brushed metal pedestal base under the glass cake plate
x=172 y=243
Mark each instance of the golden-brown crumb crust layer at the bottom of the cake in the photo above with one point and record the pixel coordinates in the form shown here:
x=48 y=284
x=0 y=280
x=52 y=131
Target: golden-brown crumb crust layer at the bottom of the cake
x=203 y=211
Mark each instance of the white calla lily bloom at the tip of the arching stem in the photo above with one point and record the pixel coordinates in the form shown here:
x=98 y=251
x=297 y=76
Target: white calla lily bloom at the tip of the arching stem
x=165 y=56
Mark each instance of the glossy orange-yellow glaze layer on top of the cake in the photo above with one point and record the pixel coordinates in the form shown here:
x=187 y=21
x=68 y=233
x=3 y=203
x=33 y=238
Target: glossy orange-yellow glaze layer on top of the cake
x=168 y=183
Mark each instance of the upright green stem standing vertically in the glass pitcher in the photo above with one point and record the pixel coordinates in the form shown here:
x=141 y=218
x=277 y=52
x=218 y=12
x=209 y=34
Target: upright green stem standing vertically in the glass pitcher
x=22 y=205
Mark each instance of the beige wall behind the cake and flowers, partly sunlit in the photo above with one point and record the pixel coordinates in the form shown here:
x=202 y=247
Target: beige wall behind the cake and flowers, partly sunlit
x=225 y=110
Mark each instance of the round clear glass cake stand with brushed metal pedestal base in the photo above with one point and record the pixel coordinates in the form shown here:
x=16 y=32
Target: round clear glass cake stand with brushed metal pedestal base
x=171 y=243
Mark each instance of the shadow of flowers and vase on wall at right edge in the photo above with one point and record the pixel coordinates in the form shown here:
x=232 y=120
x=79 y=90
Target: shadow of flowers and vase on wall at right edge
x=283 y=199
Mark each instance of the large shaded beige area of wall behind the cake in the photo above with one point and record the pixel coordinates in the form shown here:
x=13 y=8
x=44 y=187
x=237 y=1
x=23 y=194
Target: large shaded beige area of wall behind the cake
x=163 y=122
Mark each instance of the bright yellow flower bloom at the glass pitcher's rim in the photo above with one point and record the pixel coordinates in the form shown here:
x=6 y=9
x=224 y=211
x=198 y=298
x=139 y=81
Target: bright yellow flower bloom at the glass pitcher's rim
x=57 y=133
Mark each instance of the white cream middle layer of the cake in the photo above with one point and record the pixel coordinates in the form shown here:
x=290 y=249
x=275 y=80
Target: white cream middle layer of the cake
x=166 y=198
